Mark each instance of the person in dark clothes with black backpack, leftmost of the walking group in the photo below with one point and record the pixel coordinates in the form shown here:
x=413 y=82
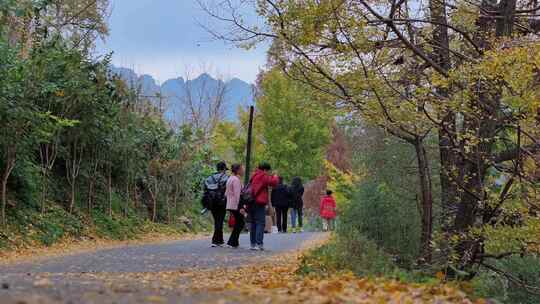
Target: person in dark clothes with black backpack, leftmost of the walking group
x=214 y=200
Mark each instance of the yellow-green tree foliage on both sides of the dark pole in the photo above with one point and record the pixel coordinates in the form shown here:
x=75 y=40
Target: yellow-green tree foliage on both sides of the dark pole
x=291 y=129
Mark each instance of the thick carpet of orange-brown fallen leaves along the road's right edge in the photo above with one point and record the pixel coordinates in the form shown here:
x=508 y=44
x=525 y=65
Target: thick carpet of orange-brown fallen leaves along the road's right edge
x=271 y=283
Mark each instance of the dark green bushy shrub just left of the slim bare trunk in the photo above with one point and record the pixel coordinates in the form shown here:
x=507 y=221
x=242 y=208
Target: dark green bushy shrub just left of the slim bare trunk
x=385 y=207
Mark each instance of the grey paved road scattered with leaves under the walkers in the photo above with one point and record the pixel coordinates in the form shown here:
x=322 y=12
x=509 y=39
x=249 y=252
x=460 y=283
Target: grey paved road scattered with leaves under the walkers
x=71 y=279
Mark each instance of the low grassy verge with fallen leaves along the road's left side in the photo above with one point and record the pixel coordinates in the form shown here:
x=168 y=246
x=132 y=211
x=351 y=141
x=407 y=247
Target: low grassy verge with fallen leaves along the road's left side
x=33 y=236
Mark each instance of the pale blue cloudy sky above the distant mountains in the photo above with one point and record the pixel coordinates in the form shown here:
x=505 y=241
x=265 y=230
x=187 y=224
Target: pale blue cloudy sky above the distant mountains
x=163 y=38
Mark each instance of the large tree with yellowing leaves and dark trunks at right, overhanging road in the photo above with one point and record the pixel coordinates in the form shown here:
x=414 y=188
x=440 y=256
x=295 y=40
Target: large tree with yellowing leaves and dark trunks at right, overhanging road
x=440 y=66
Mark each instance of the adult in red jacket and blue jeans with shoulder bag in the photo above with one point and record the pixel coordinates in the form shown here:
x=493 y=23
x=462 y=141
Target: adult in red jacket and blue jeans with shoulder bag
x=261 y=181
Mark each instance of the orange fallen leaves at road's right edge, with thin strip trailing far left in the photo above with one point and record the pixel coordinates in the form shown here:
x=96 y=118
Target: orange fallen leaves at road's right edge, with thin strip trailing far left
x=276 y=279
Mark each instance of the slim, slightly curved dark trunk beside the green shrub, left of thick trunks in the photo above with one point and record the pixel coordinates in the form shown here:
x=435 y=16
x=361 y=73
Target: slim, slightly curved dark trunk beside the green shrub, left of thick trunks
x=426 y=192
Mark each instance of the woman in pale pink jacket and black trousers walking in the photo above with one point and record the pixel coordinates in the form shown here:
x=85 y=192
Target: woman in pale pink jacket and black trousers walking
x=236 y=210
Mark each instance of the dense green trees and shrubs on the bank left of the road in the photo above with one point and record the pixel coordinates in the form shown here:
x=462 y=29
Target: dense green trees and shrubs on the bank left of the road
x=82 y=155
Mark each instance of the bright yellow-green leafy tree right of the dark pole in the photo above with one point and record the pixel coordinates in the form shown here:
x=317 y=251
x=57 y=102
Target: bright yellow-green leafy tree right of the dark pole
x=295 y=126
